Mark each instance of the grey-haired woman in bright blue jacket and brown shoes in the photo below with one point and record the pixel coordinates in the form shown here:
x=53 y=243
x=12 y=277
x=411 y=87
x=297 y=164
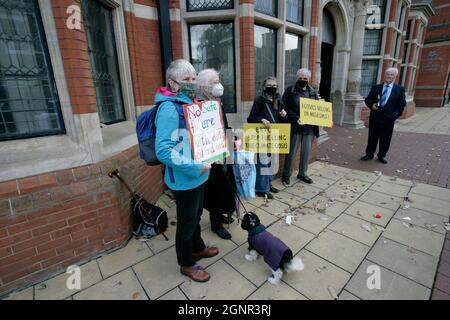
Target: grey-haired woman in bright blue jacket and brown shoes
x=183 y=175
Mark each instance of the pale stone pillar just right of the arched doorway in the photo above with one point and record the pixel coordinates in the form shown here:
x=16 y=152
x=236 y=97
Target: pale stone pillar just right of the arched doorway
x=353 y=100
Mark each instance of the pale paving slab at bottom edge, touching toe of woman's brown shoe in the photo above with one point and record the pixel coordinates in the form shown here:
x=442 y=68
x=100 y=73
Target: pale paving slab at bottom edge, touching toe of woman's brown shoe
x=225 y=284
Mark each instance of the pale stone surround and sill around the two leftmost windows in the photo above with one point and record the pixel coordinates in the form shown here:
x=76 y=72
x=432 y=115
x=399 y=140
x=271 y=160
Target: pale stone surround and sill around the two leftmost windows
x=86 y=140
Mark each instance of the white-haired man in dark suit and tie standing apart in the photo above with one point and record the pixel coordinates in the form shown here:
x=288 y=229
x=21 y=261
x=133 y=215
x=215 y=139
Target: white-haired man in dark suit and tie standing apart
x=386 y=102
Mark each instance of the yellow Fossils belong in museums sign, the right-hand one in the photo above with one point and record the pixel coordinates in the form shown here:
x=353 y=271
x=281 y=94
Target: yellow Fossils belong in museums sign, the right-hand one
x=315 y=112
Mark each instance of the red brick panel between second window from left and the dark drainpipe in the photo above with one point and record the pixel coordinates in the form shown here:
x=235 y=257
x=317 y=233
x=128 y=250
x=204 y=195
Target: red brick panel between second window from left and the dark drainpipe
x=145 y=58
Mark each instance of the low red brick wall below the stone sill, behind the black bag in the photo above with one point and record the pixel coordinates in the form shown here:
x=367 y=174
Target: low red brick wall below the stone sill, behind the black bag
x=57 y=219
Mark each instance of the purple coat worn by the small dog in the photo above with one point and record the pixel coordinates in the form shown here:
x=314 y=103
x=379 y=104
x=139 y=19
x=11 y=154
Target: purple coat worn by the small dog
x=269 y=246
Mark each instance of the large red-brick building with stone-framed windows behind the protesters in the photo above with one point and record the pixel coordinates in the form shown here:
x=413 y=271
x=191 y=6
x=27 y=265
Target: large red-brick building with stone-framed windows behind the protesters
x=74 y=74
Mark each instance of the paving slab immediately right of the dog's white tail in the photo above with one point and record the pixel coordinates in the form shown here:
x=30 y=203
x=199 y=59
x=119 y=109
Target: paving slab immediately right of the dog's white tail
x=338 y=249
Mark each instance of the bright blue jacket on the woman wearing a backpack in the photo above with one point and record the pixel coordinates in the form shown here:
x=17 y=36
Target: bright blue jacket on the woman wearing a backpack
x=173 y=146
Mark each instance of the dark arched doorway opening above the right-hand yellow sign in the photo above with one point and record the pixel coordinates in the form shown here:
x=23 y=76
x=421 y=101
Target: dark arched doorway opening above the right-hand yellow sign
x=327 y=54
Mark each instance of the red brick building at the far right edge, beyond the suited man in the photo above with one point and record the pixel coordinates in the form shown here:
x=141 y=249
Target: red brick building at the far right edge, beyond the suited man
x=433 y=85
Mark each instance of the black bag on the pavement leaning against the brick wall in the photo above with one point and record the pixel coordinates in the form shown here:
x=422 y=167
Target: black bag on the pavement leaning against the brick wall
x=146 y=215
